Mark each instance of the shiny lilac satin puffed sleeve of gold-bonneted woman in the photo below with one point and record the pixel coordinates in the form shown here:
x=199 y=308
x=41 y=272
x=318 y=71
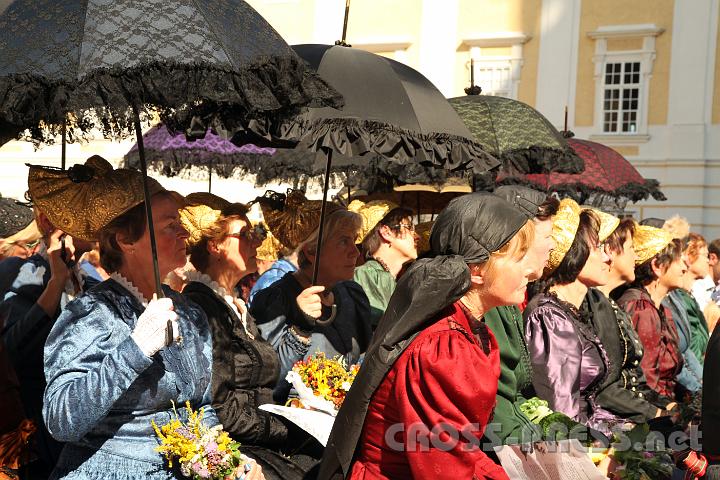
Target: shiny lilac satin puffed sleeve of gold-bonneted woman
x=555 y=353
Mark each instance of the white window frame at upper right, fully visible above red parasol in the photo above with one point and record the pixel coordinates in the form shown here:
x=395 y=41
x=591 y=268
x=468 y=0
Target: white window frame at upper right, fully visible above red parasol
x=645 y=57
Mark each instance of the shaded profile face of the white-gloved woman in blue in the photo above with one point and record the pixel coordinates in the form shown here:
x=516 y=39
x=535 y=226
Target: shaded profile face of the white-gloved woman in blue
x=169 y=235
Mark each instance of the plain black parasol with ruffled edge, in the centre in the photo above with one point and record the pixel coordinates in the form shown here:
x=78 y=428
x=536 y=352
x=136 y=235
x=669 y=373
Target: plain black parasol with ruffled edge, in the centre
x=395 y=123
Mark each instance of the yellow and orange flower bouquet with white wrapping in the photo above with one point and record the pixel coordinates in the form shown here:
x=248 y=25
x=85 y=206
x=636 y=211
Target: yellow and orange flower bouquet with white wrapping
x=321 y=382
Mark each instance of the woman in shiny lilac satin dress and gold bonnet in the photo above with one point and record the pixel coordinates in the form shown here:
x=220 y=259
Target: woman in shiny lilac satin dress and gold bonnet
x=569 y=362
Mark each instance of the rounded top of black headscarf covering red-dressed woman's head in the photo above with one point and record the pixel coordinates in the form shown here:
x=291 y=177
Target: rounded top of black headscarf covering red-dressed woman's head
x=475 y=225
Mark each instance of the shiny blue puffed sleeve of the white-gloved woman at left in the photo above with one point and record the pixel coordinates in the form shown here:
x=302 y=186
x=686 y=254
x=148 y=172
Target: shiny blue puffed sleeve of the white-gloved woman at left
x=90 y=361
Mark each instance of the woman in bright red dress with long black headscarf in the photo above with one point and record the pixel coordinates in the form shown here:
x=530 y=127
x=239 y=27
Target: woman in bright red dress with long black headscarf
x=426 y=389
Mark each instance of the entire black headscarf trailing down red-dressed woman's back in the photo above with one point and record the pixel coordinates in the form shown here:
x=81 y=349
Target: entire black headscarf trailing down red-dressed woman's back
x=467 y=231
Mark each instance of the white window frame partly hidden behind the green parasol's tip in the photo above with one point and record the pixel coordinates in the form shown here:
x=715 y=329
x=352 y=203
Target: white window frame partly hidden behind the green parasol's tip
x=513 y=40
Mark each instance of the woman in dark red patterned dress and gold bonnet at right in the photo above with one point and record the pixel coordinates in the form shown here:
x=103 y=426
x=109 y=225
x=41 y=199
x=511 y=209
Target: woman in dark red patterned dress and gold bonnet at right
x=659 y=270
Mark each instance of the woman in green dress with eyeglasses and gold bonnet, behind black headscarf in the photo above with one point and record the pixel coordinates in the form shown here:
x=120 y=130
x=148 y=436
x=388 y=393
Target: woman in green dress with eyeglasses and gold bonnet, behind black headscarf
x=388 y=243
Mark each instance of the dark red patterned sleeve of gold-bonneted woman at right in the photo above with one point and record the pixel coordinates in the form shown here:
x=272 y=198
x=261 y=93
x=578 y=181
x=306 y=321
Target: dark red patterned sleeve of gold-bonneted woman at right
x=646 y=322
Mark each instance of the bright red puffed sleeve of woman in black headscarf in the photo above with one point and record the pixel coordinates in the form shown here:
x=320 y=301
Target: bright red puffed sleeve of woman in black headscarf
x=446 y=380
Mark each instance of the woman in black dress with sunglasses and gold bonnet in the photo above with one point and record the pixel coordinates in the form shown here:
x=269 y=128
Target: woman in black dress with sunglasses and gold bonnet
x=222 y=247
